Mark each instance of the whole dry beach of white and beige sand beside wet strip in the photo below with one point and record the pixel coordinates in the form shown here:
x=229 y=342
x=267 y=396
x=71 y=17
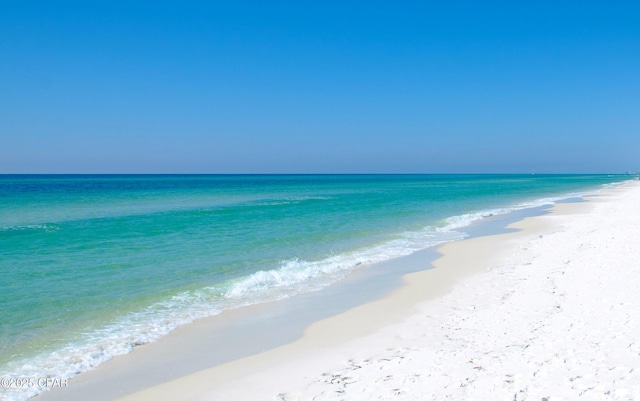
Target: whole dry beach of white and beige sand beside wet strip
x=546 y=313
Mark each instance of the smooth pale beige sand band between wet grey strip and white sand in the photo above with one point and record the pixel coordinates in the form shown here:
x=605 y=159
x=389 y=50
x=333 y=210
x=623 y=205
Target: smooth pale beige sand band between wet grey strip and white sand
x=355 y=326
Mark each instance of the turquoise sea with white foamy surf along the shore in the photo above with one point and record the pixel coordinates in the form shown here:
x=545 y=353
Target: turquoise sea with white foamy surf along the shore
x=91 y=266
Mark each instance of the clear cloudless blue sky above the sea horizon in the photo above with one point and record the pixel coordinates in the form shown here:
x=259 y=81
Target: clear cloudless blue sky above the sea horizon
x=319 y=87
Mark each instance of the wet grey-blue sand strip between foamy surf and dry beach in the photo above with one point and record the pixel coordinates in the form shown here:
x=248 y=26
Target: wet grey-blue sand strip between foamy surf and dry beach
x=254 y=328
